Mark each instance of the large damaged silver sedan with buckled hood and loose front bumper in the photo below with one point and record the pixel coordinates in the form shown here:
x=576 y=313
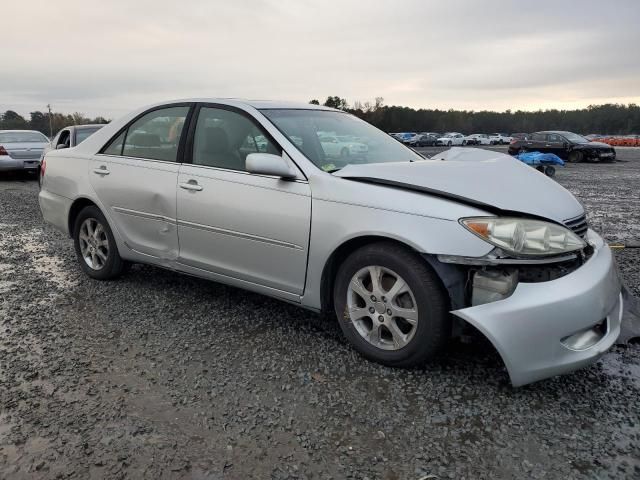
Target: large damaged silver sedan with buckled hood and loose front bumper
x=405 y=251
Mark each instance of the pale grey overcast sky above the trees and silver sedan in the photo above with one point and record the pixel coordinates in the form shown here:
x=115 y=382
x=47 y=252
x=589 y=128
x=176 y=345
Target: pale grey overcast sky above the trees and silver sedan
x=108 y=57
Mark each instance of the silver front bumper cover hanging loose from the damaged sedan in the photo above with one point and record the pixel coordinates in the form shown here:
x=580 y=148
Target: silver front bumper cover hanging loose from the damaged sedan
x=527 y=327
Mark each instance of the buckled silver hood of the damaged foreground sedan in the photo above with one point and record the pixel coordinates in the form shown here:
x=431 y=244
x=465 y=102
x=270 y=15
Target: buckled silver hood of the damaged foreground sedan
x=484 y=179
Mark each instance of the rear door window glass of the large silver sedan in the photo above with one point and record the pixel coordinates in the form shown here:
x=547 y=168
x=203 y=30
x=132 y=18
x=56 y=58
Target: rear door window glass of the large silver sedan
x=156 y=135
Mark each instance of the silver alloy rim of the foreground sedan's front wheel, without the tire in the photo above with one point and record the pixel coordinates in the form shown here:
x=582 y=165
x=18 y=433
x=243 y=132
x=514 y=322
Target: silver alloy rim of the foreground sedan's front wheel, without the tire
x=382 y=307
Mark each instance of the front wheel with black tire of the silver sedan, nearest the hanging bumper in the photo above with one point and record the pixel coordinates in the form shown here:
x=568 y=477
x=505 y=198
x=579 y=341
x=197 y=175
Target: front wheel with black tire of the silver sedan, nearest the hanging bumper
x=391 y=306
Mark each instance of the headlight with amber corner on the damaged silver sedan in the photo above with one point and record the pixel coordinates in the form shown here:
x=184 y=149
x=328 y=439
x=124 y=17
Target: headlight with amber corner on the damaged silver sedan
x=524 y=237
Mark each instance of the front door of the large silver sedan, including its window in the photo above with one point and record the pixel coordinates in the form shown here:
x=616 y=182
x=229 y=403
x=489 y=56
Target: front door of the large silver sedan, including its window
x=251 y=230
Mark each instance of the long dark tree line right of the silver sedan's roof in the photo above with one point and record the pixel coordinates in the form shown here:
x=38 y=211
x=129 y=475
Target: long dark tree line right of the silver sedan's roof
x=615 y=119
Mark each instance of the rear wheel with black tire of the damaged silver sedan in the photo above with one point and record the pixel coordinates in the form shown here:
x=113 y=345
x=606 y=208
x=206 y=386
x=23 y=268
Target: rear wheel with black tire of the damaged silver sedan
x=95 y=245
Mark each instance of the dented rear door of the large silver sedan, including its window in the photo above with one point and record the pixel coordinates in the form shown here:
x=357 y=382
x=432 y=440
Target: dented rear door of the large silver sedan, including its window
x=135 y=177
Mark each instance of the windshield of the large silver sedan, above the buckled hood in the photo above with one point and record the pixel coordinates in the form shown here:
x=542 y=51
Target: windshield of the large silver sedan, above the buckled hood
x=333 y=140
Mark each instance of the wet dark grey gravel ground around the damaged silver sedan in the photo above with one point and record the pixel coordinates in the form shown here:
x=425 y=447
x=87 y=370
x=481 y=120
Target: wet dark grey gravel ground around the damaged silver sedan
x=159 y=375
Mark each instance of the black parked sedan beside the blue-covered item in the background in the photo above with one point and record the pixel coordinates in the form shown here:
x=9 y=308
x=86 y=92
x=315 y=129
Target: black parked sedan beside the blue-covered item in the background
x=567 y=145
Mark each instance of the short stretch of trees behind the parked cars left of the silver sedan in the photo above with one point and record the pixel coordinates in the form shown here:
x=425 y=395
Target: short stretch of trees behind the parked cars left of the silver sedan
x=39 y=121
